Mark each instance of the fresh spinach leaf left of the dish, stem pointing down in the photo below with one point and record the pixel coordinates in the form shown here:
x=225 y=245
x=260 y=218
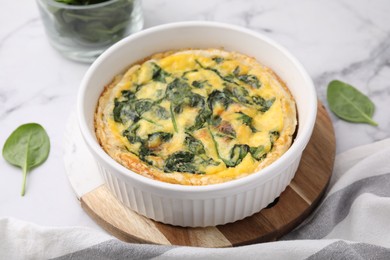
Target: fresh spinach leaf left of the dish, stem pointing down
x=27 y=147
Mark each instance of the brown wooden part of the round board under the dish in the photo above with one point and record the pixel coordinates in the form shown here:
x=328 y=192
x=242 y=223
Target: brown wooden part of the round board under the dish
x=291 y=208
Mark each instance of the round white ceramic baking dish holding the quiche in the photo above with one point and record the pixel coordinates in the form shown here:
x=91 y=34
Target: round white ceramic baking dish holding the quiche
x=210 y=205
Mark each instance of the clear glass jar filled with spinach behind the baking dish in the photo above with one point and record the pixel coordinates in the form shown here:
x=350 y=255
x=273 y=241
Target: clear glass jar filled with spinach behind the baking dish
x=83 y=32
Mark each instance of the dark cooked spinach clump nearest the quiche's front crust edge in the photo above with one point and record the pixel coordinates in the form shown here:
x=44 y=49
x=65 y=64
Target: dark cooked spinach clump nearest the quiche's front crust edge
x=181 y=161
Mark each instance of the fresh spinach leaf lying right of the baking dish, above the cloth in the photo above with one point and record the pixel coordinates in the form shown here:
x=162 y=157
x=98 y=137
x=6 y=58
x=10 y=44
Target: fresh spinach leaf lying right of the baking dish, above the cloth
x=350 y=104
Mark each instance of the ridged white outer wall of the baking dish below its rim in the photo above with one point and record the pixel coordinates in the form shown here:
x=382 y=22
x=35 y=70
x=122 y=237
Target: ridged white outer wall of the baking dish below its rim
x=200 y=212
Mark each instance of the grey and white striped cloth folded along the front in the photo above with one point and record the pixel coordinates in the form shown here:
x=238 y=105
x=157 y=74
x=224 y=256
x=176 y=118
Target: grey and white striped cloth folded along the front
x=352 y=222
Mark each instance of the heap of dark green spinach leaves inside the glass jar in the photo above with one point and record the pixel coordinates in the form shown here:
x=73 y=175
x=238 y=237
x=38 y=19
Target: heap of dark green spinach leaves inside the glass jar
x=101 y=26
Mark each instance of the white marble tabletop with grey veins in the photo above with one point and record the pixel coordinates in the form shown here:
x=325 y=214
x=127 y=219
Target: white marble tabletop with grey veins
x=338 y=39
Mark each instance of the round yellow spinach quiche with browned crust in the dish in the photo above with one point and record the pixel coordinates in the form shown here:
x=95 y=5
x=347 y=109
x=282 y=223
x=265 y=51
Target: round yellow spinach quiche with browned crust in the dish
x=196 y=117
